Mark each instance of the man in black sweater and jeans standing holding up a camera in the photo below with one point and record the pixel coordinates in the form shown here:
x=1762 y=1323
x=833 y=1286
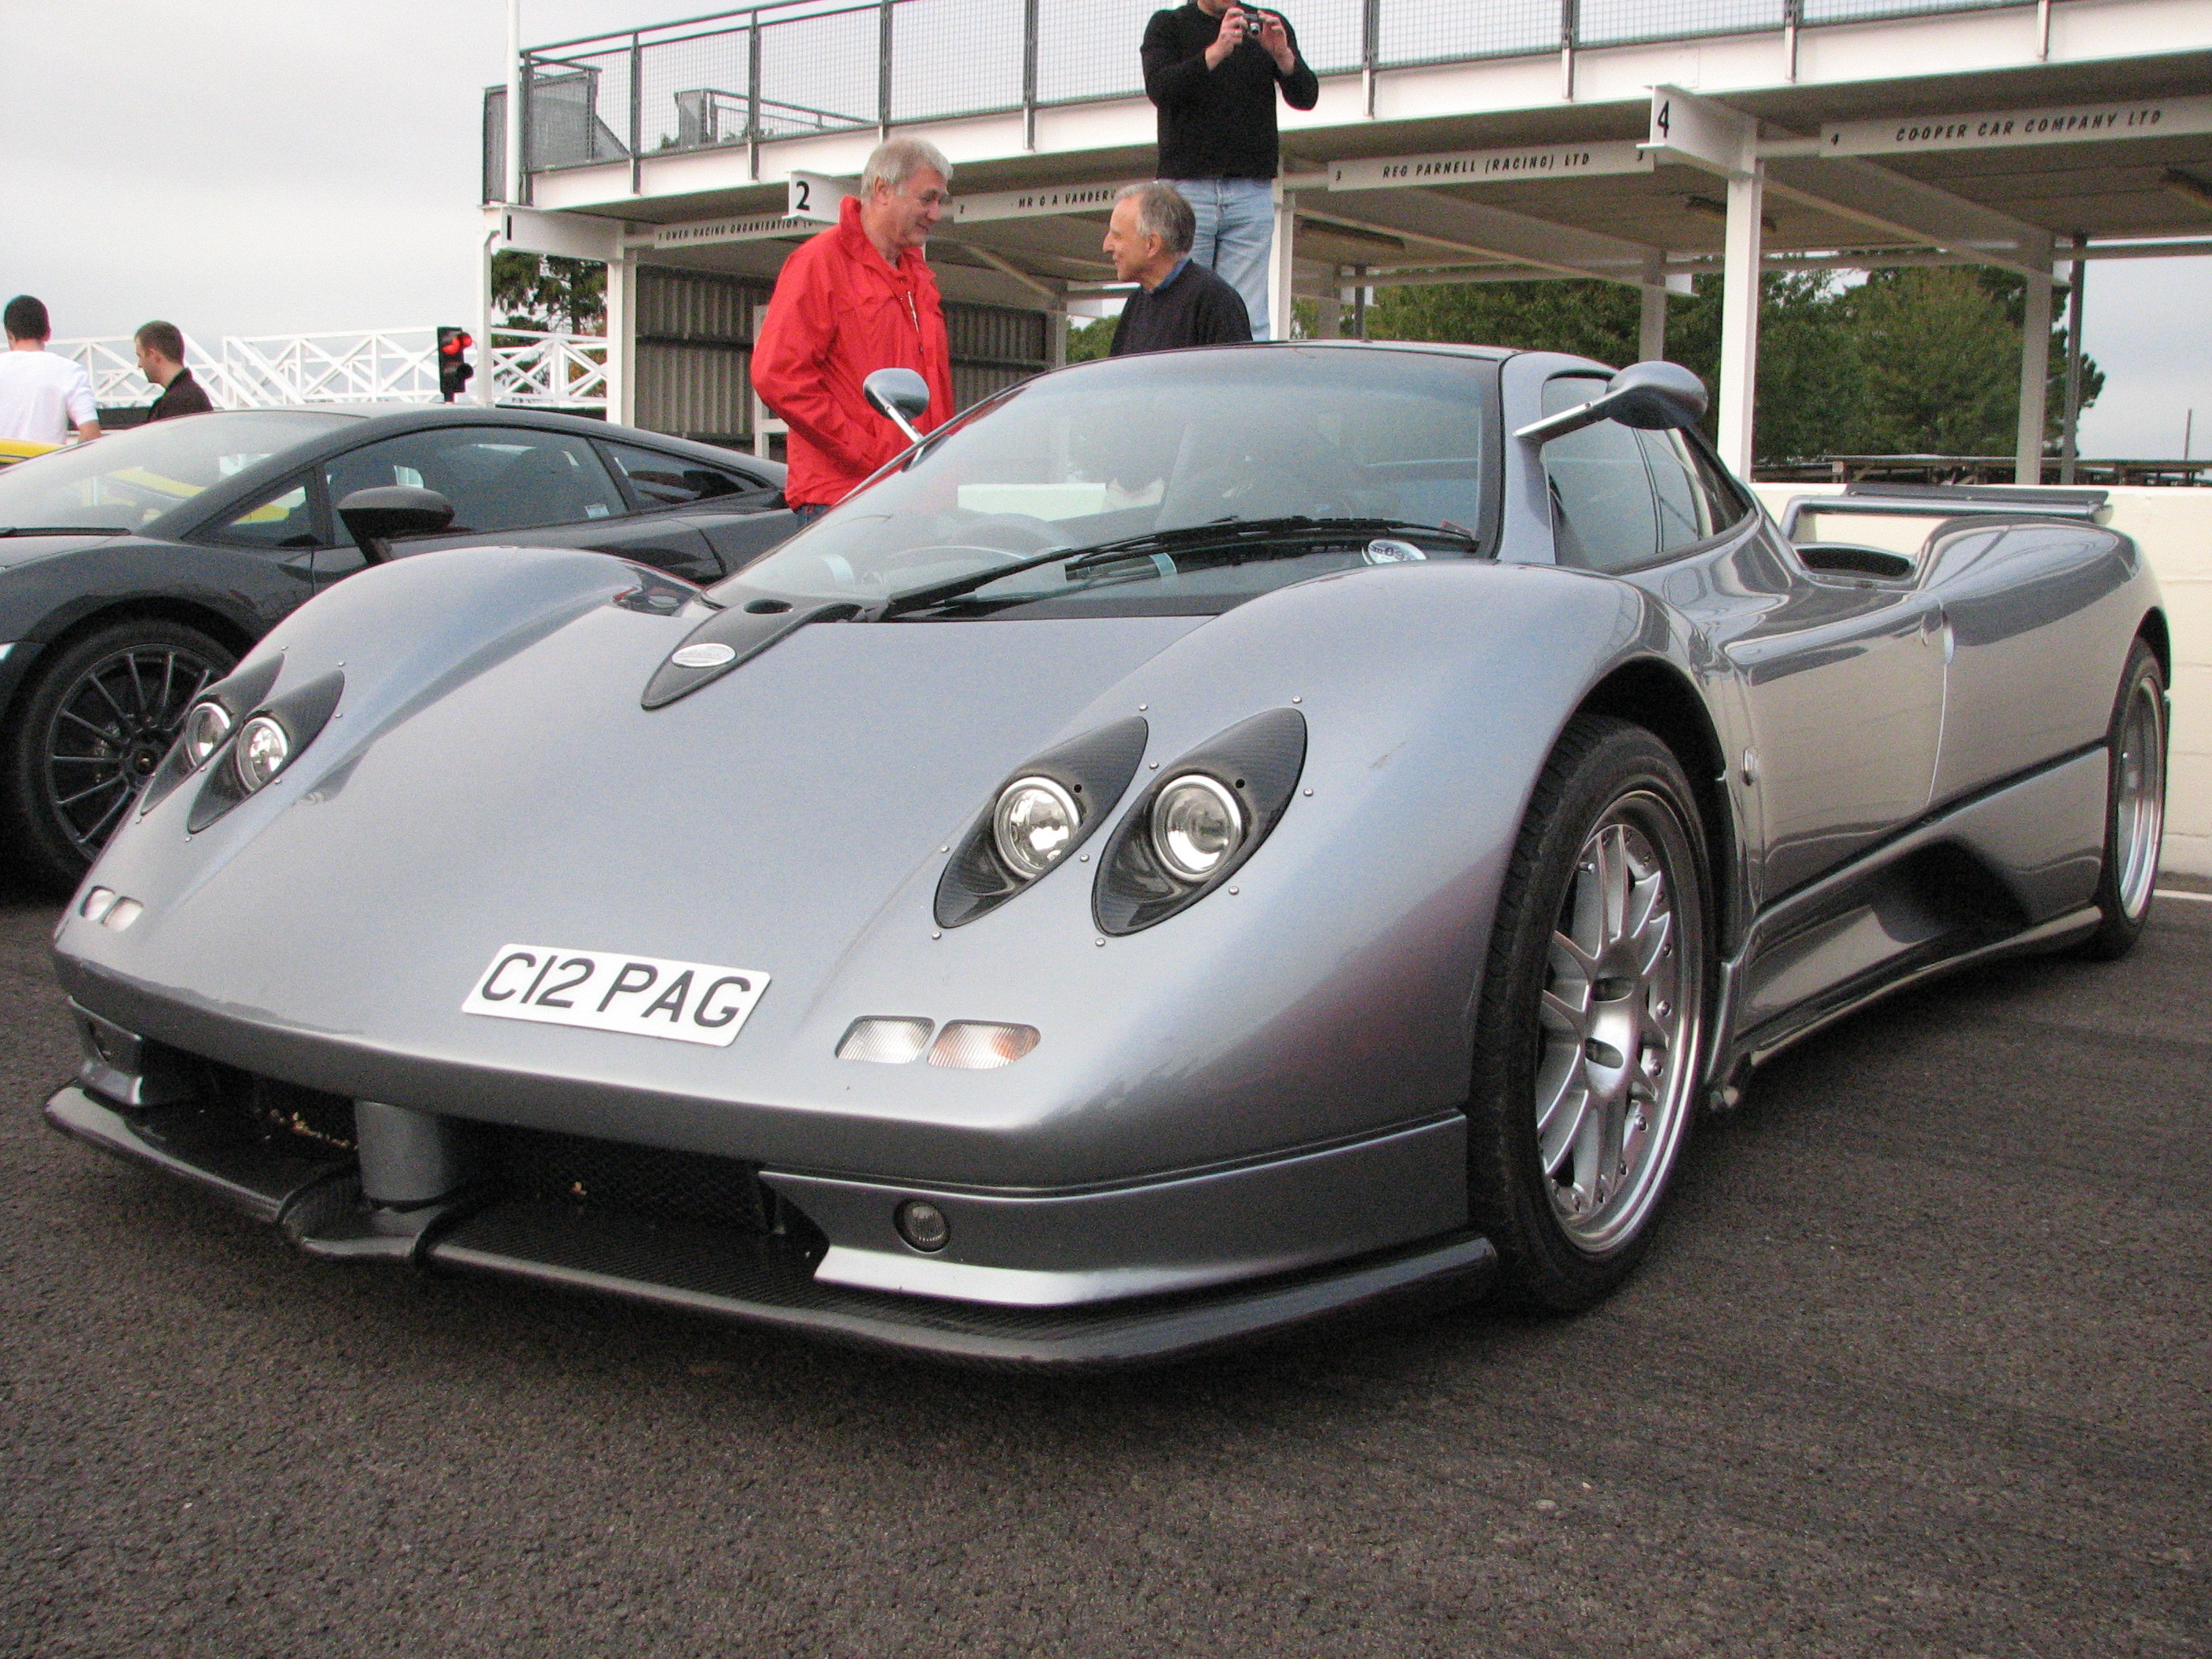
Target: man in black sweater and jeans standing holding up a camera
x=1213 y=70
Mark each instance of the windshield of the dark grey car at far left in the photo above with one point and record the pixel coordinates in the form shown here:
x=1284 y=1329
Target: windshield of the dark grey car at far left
x=132 y=479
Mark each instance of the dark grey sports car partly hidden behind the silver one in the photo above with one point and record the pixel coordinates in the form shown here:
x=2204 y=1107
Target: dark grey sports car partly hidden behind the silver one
x=134 y=572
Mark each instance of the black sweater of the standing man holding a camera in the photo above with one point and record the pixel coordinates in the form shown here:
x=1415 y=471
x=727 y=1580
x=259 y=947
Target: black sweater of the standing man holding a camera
x=1218 y=123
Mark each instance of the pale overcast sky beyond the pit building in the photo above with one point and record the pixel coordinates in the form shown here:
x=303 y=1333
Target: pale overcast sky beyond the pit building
x=275 y=167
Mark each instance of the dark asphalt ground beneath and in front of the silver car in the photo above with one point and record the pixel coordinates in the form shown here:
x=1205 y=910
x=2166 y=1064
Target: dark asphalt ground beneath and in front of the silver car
x=1919 y=1368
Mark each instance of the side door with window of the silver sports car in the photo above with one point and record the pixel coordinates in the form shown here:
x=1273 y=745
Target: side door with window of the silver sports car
x=1841 y=680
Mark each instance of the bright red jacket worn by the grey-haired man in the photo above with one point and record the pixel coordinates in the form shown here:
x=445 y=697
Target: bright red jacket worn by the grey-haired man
x=839 y=315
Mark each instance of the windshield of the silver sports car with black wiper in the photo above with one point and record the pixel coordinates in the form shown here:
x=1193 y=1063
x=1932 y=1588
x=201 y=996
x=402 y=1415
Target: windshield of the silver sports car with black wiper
x=1165 y=459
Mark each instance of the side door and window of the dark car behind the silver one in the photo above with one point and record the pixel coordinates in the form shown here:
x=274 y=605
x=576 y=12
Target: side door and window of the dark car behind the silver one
x=512 y=486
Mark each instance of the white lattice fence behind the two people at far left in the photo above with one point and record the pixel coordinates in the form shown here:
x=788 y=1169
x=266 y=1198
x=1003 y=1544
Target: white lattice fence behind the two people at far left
x=528 y=368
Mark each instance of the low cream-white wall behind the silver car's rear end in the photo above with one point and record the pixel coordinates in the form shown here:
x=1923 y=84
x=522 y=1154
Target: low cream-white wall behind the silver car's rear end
x=2176 y=532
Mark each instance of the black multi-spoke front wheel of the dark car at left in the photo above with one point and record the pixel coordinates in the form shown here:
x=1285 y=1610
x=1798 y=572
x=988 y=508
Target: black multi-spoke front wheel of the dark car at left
x=90 y=729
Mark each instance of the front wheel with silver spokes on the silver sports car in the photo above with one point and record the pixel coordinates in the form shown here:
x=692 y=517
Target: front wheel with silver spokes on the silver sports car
x=1592 y=1025
